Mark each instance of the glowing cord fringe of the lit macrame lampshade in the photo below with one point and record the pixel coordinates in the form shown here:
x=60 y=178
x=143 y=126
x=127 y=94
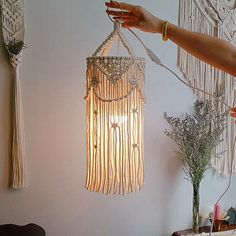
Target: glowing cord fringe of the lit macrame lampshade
x=114 y=134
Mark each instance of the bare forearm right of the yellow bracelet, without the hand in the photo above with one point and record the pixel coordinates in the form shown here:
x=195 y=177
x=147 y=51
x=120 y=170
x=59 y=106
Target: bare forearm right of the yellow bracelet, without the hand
x=212 y=50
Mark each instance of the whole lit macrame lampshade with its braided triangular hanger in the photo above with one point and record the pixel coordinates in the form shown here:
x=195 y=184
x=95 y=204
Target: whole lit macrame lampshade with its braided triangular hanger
x=115 y=100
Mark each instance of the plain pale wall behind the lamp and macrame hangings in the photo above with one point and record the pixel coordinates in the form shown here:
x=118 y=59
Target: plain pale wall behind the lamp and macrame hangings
x=60 y=35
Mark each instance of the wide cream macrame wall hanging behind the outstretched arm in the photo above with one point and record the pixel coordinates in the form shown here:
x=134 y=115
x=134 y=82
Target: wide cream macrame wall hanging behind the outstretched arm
x=216 y=18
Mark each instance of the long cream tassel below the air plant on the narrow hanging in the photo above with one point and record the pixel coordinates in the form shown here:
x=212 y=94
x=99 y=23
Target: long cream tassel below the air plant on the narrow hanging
x=19 y=173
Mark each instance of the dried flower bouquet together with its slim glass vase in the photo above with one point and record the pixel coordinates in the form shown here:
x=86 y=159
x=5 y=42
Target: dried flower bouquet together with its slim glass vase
x=196 y=136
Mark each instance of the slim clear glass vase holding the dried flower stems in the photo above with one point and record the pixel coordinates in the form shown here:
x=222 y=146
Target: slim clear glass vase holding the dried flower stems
x=195 y=223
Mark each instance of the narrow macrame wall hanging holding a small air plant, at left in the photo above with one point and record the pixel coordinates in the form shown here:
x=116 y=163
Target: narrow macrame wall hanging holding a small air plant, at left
x=13 y=30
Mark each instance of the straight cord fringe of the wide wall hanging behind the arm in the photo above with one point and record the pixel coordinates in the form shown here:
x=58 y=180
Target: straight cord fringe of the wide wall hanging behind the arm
x=203 y=76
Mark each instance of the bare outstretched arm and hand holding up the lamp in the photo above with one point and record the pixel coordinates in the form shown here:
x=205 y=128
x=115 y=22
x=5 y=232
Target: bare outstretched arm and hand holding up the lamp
x=212 y=50
